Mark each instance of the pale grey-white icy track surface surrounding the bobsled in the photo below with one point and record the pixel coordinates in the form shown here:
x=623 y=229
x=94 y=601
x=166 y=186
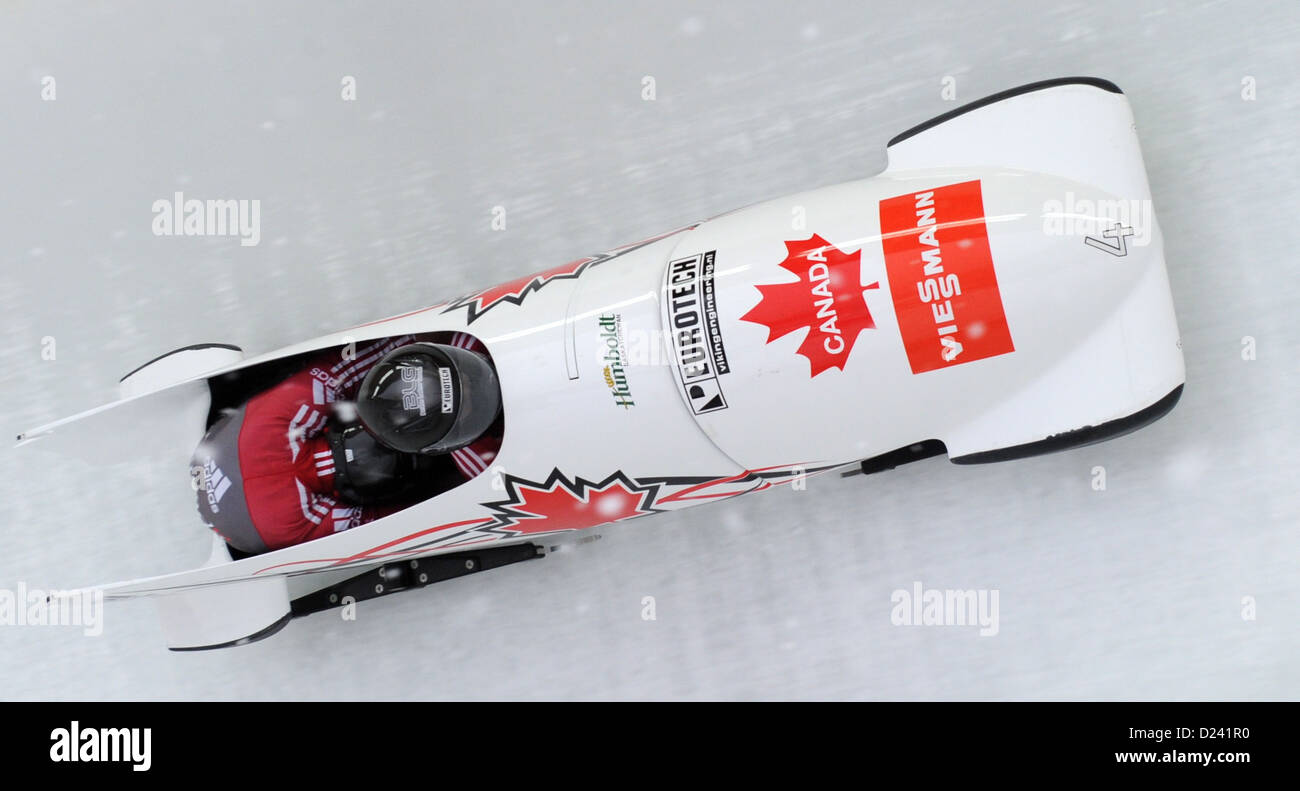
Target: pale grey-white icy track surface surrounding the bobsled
x=383 y=205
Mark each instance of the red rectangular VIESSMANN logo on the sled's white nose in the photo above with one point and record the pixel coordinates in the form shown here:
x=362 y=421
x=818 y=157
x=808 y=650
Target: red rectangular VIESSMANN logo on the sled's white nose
x=942 y=278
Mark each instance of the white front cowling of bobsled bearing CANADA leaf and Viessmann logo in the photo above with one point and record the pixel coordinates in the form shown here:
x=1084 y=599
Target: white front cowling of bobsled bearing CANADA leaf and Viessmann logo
x=1058 y=327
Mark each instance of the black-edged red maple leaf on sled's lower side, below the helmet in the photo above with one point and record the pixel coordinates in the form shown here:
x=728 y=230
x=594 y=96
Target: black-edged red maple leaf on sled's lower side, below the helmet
x=560 y=504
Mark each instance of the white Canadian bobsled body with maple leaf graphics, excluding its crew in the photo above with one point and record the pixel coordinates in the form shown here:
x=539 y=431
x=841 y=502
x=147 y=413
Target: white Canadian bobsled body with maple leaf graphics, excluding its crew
x=983 y=297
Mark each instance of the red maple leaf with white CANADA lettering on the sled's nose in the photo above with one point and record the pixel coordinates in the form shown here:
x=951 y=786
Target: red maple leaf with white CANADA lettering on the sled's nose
x=829 y=300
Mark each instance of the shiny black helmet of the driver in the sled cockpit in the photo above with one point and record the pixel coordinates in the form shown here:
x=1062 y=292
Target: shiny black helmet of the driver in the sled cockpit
x=430 y=399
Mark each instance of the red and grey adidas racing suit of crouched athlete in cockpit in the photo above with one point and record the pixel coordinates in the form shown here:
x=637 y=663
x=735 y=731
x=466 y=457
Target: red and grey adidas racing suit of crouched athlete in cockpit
x=268 y=469
